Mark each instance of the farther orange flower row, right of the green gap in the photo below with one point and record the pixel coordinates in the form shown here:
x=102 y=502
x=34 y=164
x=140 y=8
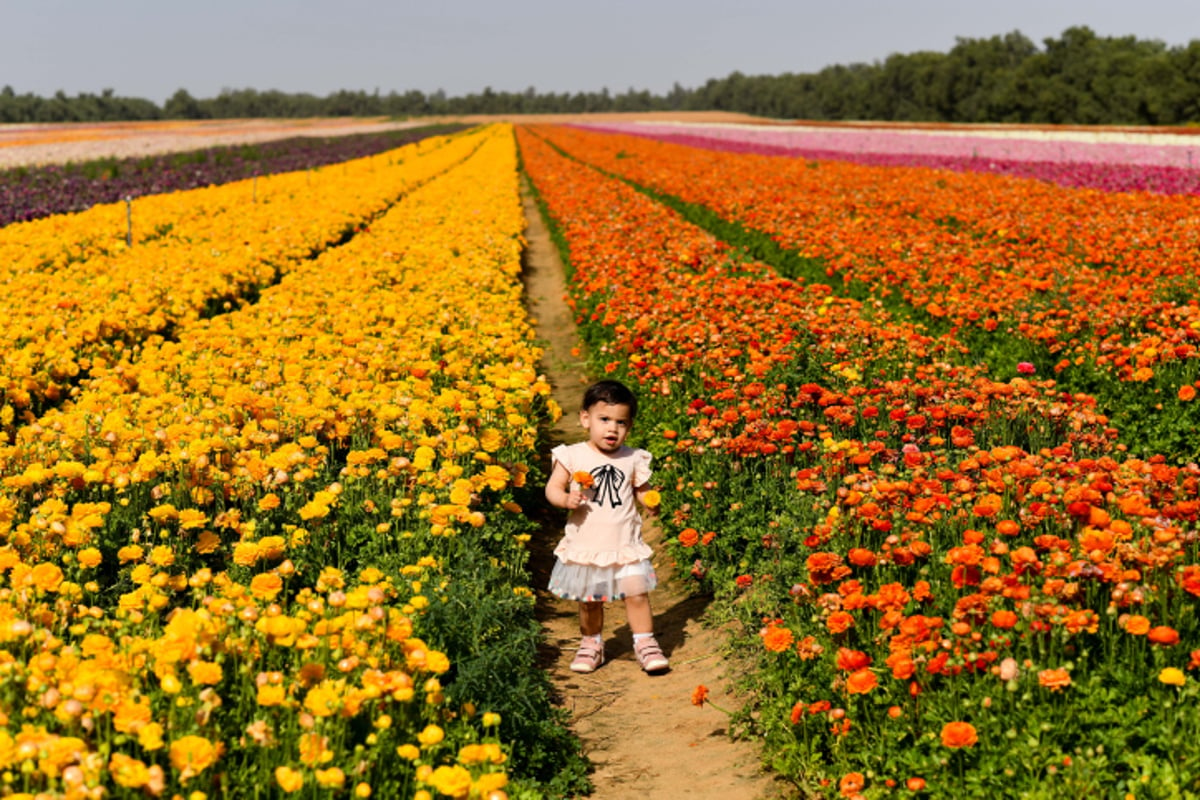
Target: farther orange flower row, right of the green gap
x=1096 y=290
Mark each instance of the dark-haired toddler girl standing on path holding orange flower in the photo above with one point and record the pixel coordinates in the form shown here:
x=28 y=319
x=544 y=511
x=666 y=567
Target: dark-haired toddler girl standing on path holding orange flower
x=603 y=556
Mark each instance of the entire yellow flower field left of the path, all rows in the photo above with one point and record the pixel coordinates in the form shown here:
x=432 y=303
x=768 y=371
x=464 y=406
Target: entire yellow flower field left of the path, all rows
x=261 y=484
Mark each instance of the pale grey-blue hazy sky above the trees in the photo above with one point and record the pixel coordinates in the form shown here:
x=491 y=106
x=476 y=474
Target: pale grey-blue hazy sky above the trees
x=152 y=49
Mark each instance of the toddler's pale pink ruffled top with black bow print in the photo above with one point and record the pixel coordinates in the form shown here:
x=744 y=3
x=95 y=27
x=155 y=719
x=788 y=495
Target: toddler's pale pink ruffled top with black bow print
x=608 y=530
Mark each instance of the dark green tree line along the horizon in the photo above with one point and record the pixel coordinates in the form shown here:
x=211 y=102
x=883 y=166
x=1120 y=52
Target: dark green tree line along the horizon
x=1076 y=79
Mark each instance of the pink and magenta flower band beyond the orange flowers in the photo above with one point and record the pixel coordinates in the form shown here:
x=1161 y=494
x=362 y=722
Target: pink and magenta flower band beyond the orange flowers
x=1111 y=166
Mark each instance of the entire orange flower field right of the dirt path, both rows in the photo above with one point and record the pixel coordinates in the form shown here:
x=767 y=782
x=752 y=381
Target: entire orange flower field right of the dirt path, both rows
x=929 y=438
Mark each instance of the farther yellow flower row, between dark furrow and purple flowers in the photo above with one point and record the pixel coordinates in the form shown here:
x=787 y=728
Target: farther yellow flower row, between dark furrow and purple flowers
x=215 y=248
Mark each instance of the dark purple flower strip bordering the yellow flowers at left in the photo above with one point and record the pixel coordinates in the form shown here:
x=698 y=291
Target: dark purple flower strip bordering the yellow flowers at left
x=34 y=193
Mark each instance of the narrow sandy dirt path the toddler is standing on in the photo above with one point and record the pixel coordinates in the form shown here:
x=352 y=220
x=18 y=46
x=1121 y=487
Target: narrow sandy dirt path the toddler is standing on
x=643 y=735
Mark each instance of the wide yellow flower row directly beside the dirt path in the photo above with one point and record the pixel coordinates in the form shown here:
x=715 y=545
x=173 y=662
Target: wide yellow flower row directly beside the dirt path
x=170 y=606
